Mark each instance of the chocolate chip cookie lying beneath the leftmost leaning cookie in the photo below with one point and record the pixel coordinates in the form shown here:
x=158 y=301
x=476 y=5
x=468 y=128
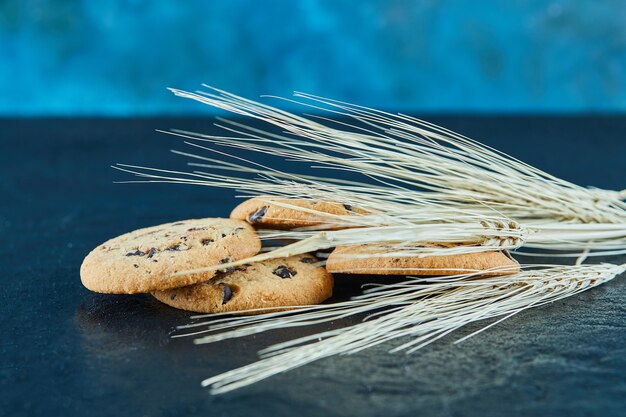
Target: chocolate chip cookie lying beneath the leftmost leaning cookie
x=294 y=281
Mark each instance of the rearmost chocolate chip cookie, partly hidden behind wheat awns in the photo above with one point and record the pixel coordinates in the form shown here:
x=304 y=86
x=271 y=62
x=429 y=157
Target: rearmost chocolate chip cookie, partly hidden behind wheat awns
x=260 y=211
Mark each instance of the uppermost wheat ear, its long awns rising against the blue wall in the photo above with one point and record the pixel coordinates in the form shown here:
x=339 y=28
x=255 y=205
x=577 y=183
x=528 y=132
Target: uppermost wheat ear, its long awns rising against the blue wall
x=404 y=152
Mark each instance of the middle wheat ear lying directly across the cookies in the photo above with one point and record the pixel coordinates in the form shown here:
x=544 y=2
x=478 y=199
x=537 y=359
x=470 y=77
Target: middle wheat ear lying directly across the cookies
x=410 y=239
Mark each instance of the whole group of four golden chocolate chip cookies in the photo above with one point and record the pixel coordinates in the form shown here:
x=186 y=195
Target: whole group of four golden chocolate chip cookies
x=147 y=260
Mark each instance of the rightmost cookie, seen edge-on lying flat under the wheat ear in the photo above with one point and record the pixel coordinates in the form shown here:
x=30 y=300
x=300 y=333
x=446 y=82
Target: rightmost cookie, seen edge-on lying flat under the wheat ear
x=367 y=259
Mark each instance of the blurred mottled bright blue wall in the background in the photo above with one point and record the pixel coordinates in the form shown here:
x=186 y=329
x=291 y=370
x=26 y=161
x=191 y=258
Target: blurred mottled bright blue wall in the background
x=116 y=57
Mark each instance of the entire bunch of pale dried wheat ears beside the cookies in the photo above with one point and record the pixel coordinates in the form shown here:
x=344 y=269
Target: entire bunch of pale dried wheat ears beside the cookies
x=423 y=184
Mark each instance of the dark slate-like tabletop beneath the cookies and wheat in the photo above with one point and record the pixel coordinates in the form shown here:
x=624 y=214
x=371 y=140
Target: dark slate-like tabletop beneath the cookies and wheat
x=66 y=351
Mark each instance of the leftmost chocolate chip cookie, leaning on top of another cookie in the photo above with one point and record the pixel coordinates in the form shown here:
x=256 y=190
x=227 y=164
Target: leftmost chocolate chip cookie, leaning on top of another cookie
x=144 y=260
